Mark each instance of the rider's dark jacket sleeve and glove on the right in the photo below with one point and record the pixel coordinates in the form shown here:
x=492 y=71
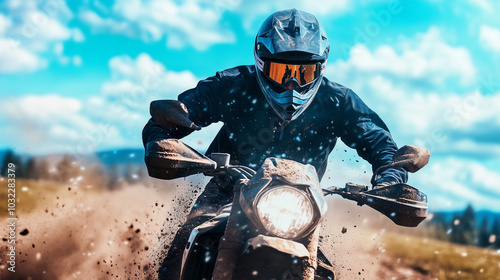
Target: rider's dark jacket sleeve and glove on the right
x=363 y=130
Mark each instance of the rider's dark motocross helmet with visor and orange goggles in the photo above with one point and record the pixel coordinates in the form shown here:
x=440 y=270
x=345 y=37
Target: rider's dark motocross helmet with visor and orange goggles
x=290 y=52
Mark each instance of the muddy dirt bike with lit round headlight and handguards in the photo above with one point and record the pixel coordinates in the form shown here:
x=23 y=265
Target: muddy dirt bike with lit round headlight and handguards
x=270 y=230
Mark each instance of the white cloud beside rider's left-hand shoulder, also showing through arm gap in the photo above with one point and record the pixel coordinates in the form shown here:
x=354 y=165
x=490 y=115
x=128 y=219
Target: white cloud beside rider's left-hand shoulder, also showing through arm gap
x=134 y=83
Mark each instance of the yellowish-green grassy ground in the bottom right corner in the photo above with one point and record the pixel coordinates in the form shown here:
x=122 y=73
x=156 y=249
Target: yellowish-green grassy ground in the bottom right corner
x=434 y=259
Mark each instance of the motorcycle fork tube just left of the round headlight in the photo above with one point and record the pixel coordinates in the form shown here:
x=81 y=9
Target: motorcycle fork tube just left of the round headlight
x=231 y=244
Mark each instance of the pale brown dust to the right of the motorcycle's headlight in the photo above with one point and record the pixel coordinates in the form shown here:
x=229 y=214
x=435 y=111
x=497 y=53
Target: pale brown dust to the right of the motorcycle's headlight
x=353 y=237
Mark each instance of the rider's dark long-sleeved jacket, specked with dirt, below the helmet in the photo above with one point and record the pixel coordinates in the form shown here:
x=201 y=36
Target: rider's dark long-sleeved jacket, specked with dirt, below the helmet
x=253 y=132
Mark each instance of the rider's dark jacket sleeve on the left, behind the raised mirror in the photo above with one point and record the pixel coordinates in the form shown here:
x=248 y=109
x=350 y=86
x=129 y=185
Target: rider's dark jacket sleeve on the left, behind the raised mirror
x=204 y=106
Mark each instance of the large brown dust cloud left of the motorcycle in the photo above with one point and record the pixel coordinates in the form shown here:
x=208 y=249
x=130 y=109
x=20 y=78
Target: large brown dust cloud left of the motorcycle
x=99 y=234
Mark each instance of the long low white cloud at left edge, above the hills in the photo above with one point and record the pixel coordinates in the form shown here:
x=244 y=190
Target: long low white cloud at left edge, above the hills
x=50 y=123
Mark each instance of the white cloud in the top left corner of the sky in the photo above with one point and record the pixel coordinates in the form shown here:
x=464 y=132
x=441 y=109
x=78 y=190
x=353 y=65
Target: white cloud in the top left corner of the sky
x=34 y=28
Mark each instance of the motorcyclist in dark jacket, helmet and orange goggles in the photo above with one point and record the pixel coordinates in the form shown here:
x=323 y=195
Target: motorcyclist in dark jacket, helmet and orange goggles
x=268 y=112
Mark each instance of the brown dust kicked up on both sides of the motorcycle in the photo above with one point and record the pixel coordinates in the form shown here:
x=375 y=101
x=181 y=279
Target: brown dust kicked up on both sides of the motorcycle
x=121 y=234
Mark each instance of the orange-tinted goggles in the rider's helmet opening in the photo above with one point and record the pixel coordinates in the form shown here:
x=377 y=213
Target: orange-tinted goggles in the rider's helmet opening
x=302 y=73
